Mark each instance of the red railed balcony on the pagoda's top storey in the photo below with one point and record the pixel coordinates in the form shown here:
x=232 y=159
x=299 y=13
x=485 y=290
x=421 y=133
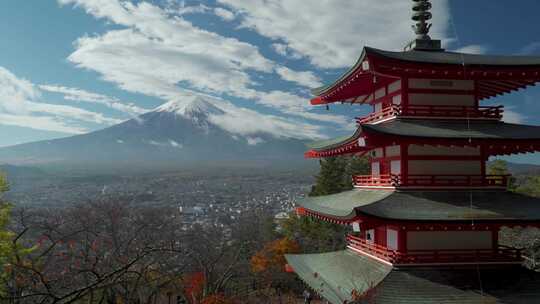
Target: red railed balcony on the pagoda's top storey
x=430 y=111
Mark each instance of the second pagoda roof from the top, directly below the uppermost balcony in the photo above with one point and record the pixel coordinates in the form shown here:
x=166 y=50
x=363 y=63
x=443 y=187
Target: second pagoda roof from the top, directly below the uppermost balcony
x=430 y=130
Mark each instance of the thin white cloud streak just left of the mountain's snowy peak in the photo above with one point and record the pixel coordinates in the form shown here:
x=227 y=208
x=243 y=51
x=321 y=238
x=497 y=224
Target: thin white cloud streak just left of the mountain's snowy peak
x=75 y=94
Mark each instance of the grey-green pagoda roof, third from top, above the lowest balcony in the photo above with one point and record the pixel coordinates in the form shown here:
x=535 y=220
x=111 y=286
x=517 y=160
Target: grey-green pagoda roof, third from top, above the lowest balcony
x=424 y=205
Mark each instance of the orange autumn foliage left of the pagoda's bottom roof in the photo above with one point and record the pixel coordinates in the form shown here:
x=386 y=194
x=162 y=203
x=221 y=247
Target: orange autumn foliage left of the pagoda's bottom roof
x=273 y=255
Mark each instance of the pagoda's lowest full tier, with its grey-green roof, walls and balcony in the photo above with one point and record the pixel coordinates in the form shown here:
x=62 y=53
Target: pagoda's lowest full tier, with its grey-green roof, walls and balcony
x=404 y=228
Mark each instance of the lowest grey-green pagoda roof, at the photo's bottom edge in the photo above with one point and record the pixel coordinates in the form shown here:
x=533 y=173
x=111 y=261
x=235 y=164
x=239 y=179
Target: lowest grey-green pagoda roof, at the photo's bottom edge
x=336 y=275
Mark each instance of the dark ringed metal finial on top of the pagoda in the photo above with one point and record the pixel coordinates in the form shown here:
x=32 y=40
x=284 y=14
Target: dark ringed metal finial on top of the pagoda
x=421 y=15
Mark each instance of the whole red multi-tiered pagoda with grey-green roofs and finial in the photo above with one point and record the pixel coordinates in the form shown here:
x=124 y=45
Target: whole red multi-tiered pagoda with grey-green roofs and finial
x=426 y=221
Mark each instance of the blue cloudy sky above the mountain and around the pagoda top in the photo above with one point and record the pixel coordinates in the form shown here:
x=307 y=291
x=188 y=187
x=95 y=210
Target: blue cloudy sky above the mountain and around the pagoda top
x=74 y=66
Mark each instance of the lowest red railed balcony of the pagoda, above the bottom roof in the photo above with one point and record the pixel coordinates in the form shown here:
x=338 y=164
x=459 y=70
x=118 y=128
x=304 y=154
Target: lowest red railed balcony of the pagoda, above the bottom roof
x=501 y=254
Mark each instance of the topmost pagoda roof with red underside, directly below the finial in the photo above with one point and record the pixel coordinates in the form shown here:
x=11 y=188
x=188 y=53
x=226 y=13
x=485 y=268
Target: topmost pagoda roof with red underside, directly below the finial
x=496 y=74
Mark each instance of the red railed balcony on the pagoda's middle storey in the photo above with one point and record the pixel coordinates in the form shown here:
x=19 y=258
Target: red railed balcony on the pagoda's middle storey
x=431 y=181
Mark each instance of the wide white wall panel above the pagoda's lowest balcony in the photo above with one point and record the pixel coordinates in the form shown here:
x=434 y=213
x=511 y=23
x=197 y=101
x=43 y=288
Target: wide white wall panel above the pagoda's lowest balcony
x=449 y=240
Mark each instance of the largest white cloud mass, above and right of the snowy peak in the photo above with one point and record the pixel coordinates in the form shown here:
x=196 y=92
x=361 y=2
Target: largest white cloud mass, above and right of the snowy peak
x=166 y=56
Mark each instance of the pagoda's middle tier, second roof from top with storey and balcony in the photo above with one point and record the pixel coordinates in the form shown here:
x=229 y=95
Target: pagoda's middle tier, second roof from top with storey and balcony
x=434 y=153
